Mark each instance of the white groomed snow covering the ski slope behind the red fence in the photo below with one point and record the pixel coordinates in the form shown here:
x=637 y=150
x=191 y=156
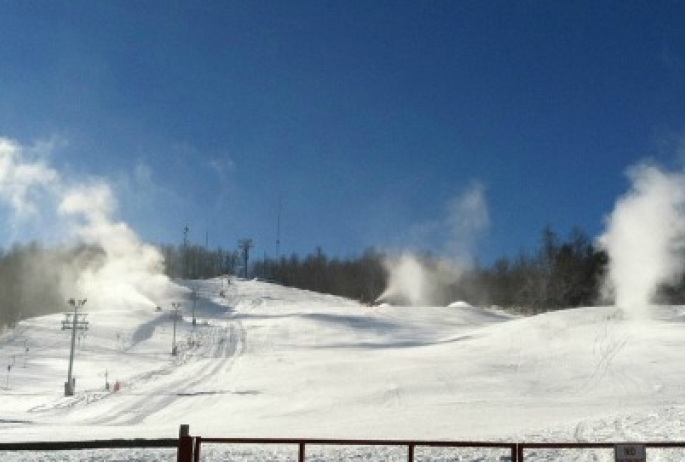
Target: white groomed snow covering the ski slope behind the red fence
x=269 y=361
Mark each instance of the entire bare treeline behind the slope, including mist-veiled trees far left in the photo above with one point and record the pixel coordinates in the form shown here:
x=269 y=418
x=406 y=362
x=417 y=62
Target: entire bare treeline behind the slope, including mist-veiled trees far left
x=559 y=273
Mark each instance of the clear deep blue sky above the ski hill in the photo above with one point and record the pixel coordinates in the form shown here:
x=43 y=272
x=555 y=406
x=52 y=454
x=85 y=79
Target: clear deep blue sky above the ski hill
x=364 y=117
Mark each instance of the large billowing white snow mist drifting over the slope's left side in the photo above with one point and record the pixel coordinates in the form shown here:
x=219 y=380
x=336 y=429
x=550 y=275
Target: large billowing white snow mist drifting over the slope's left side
x=127 y=273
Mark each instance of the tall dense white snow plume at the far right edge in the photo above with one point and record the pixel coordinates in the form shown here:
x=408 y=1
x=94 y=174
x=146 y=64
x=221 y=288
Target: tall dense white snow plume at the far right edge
x=645 y=238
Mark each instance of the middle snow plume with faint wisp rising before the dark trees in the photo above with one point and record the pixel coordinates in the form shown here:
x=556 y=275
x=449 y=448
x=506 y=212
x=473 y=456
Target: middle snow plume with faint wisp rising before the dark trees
x=421 y=281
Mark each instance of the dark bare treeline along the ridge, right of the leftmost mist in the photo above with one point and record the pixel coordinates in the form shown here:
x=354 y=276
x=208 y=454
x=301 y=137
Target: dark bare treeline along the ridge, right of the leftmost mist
x=561 y=272
